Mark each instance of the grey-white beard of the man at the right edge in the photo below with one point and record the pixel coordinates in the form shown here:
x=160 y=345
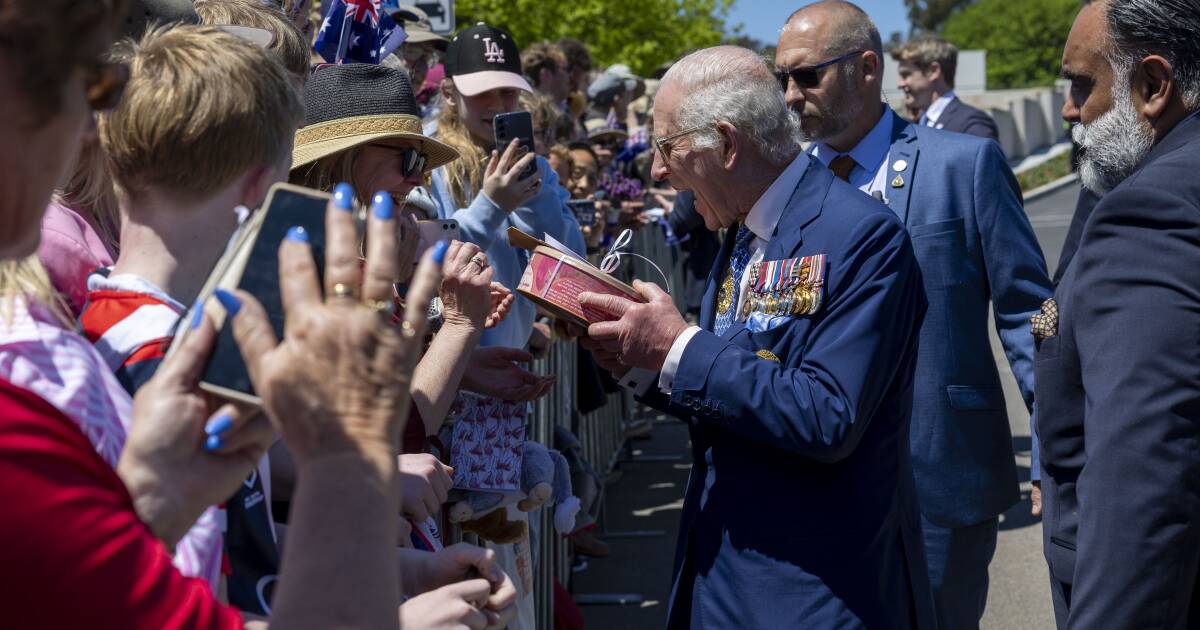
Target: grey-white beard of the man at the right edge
x=1114 y=146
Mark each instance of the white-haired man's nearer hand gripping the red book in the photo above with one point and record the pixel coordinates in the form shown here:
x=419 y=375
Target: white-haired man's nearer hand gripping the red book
x=643 y=337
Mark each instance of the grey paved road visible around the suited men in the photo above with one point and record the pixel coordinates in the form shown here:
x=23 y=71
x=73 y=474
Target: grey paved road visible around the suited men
x=647 y=497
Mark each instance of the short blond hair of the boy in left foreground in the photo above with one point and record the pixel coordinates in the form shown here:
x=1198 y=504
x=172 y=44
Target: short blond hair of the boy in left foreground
x=201 y=110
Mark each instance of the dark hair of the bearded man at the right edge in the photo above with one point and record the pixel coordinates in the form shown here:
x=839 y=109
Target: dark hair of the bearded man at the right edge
x=1167 y=28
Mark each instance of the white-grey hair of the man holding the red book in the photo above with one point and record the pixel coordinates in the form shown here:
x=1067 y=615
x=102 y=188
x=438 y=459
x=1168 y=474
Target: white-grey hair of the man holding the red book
x=733 y=85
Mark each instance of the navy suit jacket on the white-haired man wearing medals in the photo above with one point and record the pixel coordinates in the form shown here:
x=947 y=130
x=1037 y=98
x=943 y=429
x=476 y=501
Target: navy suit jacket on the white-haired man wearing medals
x=801 y=511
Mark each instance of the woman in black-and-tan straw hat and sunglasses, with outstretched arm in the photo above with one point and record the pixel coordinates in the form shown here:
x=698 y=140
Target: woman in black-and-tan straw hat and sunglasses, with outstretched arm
x=362 y=128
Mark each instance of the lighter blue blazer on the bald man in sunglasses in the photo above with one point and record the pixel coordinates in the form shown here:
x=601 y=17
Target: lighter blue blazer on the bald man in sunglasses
x=977 y=251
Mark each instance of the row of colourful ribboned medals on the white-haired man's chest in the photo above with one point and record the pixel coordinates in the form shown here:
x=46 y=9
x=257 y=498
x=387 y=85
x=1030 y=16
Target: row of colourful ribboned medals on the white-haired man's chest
x=790 y=287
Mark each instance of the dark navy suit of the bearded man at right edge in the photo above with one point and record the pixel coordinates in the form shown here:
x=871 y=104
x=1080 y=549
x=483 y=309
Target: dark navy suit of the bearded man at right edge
x=1119 y=405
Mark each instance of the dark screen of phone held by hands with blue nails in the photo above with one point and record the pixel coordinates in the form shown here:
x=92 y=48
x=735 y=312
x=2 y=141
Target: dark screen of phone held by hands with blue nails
x=261 y=279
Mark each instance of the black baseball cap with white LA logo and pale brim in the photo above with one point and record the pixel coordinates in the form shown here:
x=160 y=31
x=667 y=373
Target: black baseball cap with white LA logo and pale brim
x=484 y=58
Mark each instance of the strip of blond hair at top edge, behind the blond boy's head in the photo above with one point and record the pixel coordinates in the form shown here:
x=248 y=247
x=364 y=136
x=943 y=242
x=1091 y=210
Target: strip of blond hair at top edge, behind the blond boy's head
x=287 y=41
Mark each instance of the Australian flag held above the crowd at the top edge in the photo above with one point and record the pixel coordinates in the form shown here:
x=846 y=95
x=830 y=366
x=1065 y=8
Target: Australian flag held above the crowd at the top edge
x=358 y=32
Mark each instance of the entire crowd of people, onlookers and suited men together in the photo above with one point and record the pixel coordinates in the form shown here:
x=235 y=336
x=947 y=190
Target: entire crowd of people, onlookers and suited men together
x=851 y=446
